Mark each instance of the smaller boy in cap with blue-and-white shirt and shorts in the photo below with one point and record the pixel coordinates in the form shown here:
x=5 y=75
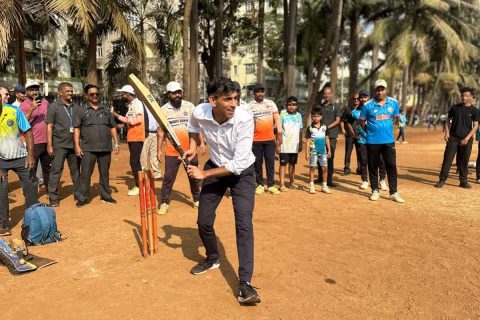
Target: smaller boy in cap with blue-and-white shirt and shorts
x=317 y=149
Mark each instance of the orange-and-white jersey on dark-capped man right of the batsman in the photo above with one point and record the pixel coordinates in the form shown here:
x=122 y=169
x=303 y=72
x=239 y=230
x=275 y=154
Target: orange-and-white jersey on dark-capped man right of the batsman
x=263 y=116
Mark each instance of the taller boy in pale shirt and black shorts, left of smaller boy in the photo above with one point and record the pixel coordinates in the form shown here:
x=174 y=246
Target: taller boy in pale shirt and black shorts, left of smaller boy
x=292 y=126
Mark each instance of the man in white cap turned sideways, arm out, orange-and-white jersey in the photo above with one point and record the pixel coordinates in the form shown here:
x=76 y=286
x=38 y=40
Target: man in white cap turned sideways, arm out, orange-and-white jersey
x=135 y=131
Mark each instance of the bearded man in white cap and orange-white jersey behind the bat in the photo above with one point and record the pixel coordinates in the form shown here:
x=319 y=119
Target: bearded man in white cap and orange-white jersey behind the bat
x=178 y=112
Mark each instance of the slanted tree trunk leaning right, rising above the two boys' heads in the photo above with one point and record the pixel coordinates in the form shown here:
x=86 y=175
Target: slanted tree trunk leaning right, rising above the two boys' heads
x=327 y=48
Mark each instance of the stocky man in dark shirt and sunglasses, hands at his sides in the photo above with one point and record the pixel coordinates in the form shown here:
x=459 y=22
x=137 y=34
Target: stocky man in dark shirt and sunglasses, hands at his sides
x=94 y=128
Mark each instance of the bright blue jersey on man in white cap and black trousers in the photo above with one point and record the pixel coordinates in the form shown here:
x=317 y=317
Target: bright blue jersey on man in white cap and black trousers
x=380 y=120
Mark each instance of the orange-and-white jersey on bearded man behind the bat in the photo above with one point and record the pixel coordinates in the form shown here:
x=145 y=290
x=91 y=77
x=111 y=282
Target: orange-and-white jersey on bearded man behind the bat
x=178 y=119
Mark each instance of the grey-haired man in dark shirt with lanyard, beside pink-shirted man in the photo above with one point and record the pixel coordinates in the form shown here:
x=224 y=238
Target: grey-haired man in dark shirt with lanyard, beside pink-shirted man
x=60 y=141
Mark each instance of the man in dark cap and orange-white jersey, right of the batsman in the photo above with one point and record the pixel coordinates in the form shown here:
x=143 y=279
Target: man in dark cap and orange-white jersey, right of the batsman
x=265 y=115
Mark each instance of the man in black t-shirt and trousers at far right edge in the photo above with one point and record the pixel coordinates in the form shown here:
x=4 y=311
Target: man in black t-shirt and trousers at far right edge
x=459 y=137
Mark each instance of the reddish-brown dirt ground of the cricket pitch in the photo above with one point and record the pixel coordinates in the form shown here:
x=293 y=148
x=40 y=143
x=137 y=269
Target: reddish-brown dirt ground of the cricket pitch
x=337 y=256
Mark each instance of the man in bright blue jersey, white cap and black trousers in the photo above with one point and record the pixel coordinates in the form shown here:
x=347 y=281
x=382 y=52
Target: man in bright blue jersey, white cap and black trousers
x=377 y=118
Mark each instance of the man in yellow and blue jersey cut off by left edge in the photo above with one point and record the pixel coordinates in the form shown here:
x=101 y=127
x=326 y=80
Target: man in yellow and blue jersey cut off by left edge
x=16 y=156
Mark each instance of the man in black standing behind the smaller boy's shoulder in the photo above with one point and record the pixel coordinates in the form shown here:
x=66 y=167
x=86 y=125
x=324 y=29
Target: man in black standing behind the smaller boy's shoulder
x=331 y=112
